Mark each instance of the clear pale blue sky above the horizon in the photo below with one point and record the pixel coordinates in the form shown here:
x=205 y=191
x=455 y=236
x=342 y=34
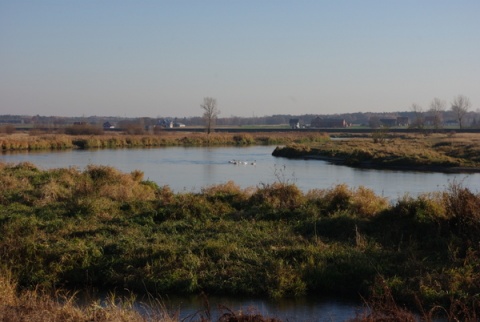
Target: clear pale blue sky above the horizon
x=255 y=57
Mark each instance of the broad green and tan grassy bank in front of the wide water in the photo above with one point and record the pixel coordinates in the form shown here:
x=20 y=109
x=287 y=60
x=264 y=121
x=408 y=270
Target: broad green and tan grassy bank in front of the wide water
x=103 y=229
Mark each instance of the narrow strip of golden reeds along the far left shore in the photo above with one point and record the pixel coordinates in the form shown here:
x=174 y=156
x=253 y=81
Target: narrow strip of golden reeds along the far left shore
x=23 y=141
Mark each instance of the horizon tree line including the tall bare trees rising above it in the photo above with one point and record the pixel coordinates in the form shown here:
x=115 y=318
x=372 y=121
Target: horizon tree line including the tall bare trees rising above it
x=458 y=111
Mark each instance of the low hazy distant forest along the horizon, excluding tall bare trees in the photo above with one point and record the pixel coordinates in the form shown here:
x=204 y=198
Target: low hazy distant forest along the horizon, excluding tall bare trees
x=367 y=119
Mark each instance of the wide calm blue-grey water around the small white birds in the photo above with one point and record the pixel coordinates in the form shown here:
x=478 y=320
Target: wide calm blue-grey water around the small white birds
x=190 y=169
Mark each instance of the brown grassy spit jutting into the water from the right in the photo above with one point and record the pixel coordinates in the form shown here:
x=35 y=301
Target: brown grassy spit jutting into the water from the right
x=440 y=152
